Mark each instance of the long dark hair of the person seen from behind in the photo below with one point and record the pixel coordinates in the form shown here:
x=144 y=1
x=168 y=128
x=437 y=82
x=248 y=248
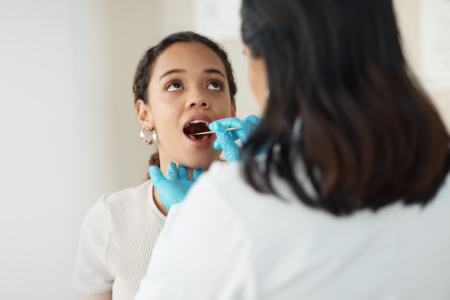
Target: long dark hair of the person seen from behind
x=369 y=134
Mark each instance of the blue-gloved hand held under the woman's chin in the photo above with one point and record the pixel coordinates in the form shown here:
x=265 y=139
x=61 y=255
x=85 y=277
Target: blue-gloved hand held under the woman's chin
x=173 y=188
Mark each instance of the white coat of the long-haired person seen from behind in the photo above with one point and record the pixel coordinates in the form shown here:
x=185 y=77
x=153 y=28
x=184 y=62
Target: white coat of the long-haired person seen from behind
x=226 y=241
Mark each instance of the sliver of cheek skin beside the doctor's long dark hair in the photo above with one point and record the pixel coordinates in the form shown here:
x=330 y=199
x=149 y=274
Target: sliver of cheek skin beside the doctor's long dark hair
x=257 y=77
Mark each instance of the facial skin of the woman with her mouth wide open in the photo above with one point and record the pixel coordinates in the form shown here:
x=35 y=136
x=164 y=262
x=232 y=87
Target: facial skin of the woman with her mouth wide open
x=175 y=97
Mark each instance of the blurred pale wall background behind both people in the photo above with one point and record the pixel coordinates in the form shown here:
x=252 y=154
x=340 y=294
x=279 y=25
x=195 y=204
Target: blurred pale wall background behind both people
x=68 y=127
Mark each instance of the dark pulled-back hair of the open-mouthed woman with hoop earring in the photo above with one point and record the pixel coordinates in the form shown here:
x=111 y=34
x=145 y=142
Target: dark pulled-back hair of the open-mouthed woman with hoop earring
x=144 y=69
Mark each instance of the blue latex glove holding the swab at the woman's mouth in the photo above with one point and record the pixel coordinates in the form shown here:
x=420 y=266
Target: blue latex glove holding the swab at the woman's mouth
x=225 y=140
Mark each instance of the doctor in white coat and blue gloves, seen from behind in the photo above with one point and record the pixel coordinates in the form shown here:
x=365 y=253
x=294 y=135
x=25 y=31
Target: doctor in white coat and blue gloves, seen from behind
x=351 y=201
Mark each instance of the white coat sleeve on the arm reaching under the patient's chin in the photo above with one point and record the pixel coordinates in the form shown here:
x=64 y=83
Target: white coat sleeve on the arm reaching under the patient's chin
x=202 y=252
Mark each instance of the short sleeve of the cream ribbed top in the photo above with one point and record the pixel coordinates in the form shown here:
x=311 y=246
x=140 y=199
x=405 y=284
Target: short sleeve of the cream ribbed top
x=92 y=274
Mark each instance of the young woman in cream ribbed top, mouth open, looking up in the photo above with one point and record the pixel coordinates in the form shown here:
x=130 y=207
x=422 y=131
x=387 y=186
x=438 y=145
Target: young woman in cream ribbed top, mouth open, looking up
x=181 y=85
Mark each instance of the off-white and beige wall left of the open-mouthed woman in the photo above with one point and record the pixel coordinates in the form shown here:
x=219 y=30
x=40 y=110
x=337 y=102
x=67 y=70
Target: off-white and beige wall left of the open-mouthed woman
x=65 y=96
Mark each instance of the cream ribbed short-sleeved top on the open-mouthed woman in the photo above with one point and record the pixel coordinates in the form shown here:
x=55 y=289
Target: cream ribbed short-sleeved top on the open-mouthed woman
x=116 y=242
